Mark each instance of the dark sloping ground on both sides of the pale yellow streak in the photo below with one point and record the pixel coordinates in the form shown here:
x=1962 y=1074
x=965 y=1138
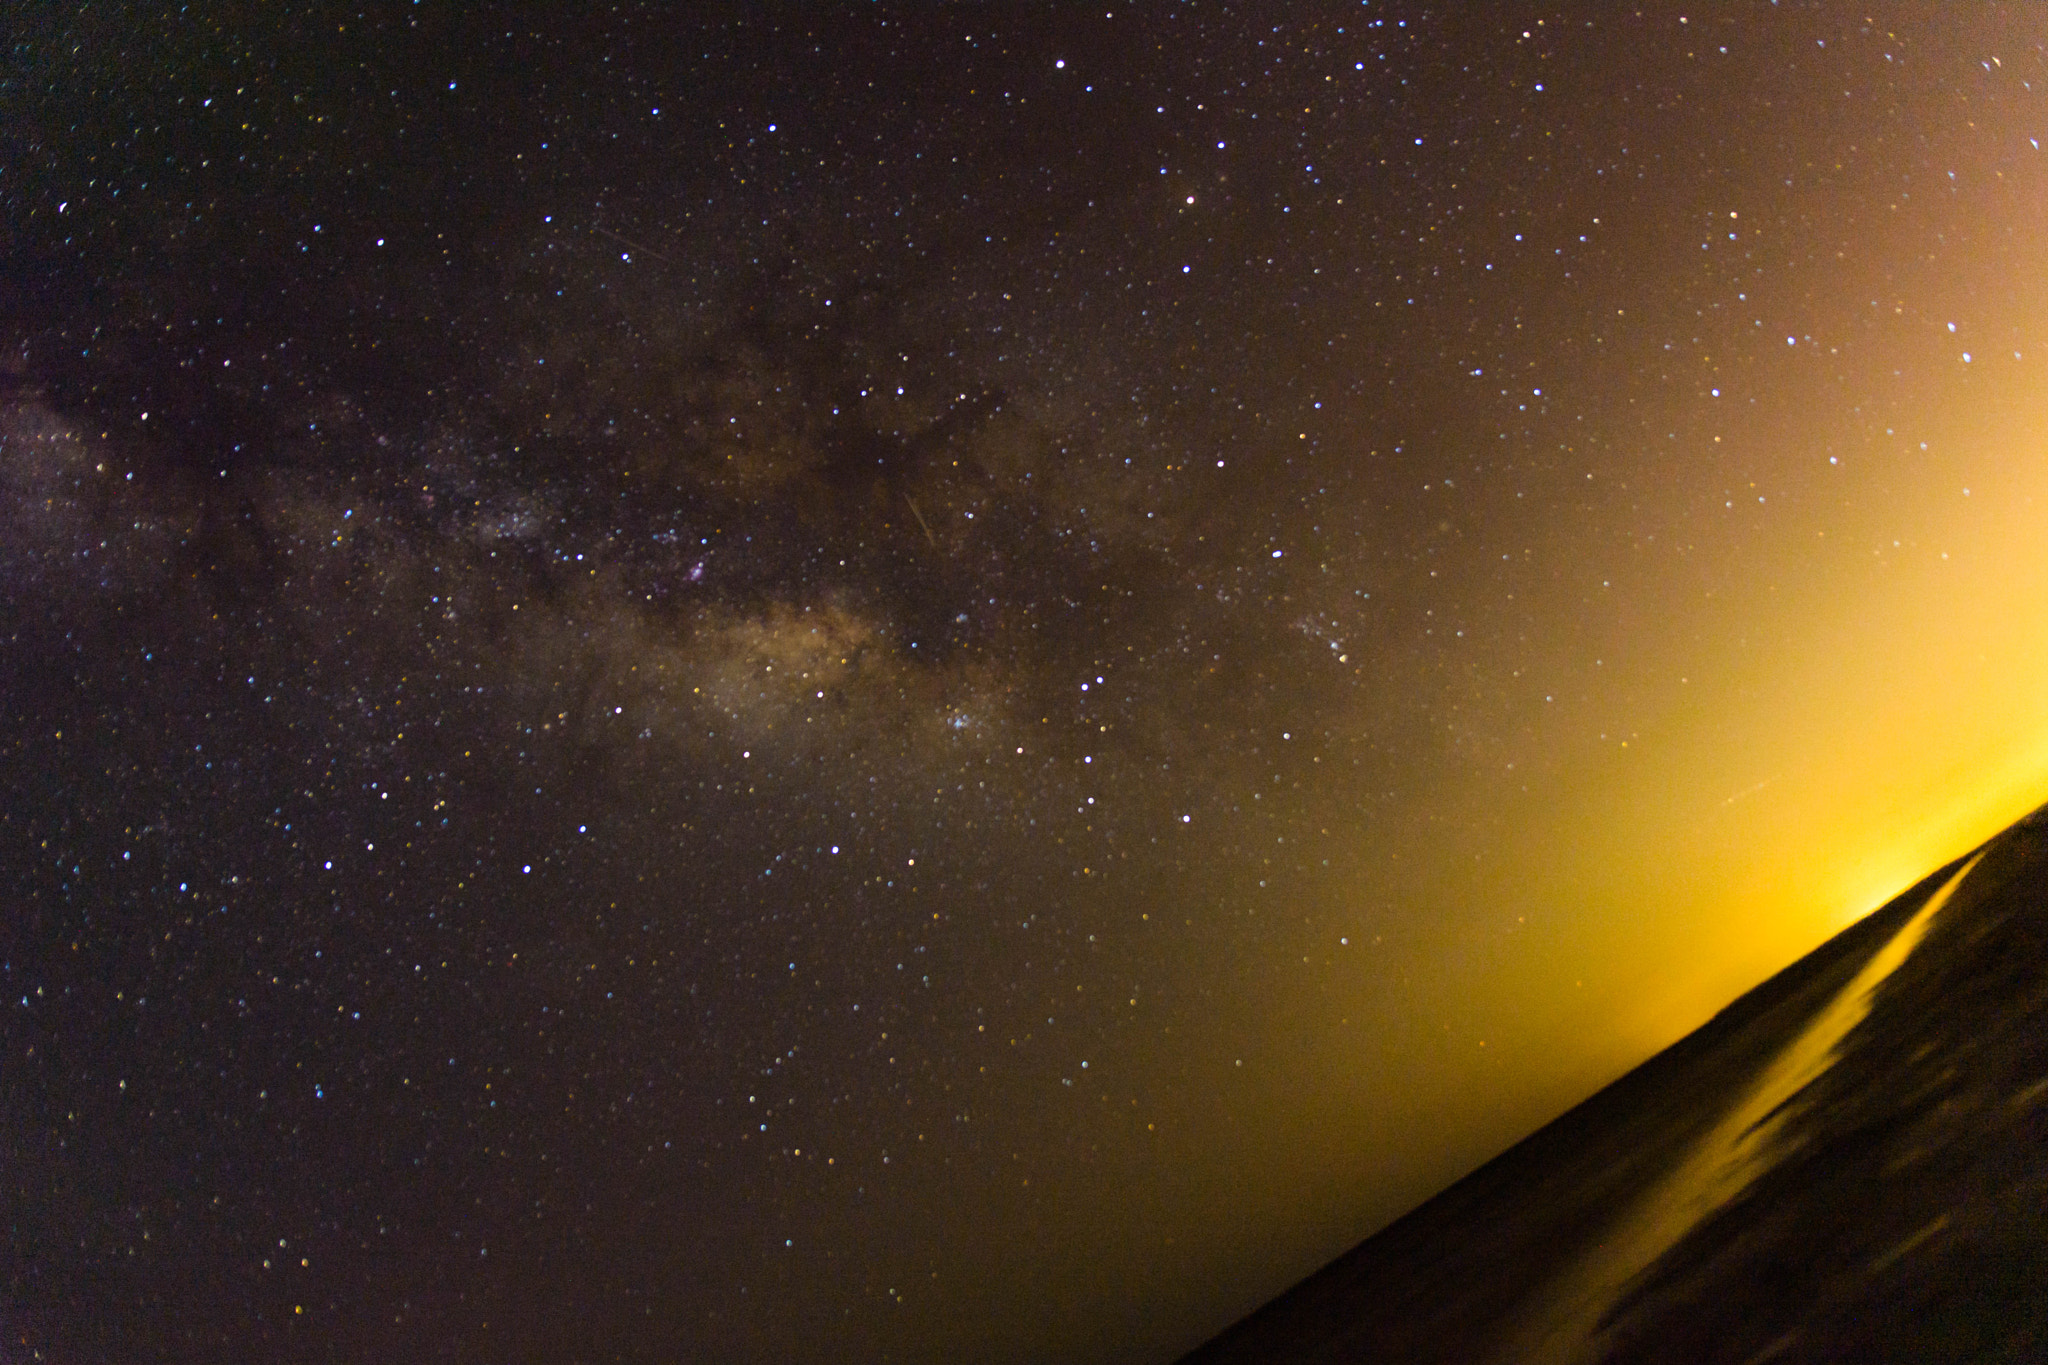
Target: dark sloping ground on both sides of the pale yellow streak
x=1906 y=1217
